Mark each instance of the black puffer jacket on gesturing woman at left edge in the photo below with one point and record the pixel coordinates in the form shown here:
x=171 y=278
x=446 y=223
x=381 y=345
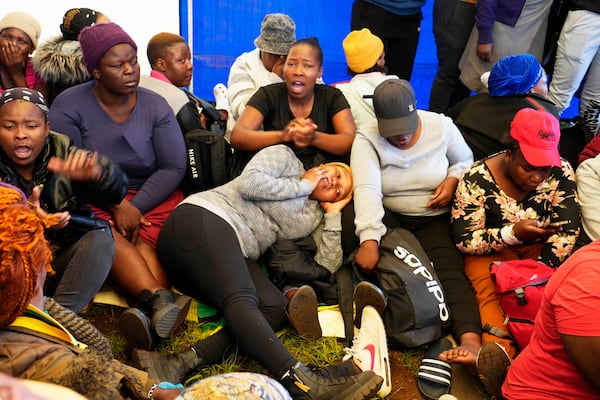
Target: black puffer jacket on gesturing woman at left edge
x=60 y=193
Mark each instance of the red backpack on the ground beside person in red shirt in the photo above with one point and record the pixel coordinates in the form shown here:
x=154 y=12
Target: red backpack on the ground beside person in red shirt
x=520 y=285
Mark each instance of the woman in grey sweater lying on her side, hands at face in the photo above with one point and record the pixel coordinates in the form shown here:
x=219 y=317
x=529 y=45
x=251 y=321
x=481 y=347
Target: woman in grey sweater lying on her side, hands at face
x=210 y=244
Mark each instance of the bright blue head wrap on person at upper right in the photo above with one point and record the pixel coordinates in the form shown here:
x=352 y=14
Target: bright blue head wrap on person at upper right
x=516 y=74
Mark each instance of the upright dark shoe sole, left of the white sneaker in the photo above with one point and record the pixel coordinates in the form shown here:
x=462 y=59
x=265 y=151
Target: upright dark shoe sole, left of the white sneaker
x=303 y=312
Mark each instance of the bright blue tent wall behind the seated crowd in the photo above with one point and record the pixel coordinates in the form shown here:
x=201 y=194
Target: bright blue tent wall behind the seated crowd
x=223 y=29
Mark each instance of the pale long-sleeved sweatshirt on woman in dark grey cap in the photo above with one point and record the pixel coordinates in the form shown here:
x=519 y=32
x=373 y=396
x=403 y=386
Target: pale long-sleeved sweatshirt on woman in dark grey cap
x=404 y=180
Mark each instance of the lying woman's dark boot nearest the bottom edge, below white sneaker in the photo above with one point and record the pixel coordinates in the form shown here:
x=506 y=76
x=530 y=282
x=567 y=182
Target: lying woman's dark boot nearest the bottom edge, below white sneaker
x=302 y=383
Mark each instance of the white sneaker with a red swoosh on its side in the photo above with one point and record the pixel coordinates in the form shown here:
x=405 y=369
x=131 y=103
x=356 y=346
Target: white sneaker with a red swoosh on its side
x=369 y=349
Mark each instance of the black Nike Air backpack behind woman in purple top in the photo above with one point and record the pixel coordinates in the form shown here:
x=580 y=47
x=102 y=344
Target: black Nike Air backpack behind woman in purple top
x=209 y=154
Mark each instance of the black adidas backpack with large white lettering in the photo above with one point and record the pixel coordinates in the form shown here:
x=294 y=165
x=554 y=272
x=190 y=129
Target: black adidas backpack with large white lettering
x=416 y=312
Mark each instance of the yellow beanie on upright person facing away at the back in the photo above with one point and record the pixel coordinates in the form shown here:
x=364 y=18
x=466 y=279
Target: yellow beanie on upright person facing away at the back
x=362 y=50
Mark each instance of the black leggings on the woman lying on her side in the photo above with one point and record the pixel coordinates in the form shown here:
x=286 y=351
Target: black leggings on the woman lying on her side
x=203 y=259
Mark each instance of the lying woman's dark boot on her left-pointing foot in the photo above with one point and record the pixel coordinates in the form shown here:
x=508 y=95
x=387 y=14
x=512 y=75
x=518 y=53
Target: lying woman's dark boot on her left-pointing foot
x=163 y=367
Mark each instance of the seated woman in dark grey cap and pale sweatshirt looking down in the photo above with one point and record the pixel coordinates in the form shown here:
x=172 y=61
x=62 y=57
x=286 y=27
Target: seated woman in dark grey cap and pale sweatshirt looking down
x=406 y=172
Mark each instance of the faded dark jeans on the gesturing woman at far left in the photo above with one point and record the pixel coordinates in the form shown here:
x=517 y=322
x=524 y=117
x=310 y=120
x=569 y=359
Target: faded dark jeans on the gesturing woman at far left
x=81 y=269
